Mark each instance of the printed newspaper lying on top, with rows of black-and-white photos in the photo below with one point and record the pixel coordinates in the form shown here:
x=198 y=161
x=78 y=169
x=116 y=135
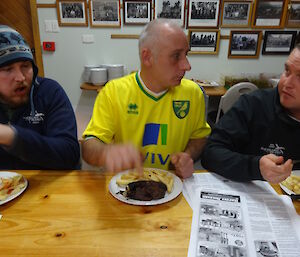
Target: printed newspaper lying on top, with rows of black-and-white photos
x=231 y=223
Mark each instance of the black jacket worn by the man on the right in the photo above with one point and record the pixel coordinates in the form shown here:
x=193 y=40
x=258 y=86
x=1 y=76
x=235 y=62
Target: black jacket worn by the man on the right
x=256 y=125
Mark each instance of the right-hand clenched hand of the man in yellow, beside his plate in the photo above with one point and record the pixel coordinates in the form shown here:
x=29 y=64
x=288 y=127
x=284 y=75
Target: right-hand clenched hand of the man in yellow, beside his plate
x=183 y=163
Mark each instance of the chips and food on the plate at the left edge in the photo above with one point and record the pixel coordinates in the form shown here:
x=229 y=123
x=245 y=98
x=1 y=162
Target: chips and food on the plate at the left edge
x=10 y=186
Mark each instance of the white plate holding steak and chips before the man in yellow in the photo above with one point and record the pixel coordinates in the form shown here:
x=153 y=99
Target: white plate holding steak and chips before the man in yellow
x=114 y=189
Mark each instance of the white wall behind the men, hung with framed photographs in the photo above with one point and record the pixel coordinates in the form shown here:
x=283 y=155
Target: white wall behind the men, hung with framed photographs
x=66 y=64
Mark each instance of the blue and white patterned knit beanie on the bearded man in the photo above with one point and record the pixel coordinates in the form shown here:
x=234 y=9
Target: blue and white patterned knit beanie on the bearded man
x=13 y=48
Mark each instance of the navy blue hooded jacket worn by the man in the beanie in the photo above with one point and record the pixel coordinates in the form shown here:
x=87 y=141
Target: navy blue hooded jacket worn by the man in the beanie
x=46 y=131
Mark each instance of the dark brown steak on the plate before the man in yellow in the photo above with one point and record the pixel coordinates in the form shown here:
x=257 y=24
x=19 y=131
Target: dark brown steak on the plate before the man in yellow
x=145 y=190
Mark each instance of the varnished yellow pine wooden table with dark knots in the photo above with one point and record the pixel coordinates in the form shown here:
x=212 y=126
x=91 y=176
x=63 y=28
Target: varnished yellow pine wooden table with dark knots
x=71 y=213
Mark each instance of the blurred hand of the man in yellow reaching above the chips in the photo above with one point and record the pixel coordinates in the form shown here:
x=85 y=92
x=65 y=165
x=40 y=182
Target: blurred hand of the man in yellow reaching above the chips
x=121 y=157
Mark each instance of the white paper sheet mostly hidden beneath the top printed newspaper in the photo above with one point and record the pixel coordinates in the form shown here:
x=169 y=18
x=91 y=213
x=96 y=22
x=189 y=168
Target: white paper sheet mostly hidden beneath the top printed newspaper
x=214 y=181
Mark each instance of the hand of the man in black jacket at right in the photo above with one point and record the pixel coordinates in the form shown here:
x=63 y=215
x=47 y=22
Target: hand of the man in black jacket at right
x=274 y=169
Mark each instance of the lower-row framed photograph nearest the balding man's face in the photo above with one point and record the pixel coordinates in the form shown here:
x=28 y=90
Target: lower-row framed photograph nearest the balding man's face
x=204 y=41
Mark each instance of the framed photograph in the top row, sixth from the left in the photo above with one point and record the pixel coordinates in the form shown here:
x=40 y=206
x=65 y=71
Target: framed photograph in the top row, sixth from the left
x=236 y=14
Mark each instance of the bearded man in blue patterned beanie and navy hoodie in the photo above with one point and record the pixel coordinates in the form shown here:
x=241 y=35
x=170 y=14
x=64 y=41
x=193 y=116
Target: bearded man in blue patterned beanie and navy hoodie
x=37 y=123
